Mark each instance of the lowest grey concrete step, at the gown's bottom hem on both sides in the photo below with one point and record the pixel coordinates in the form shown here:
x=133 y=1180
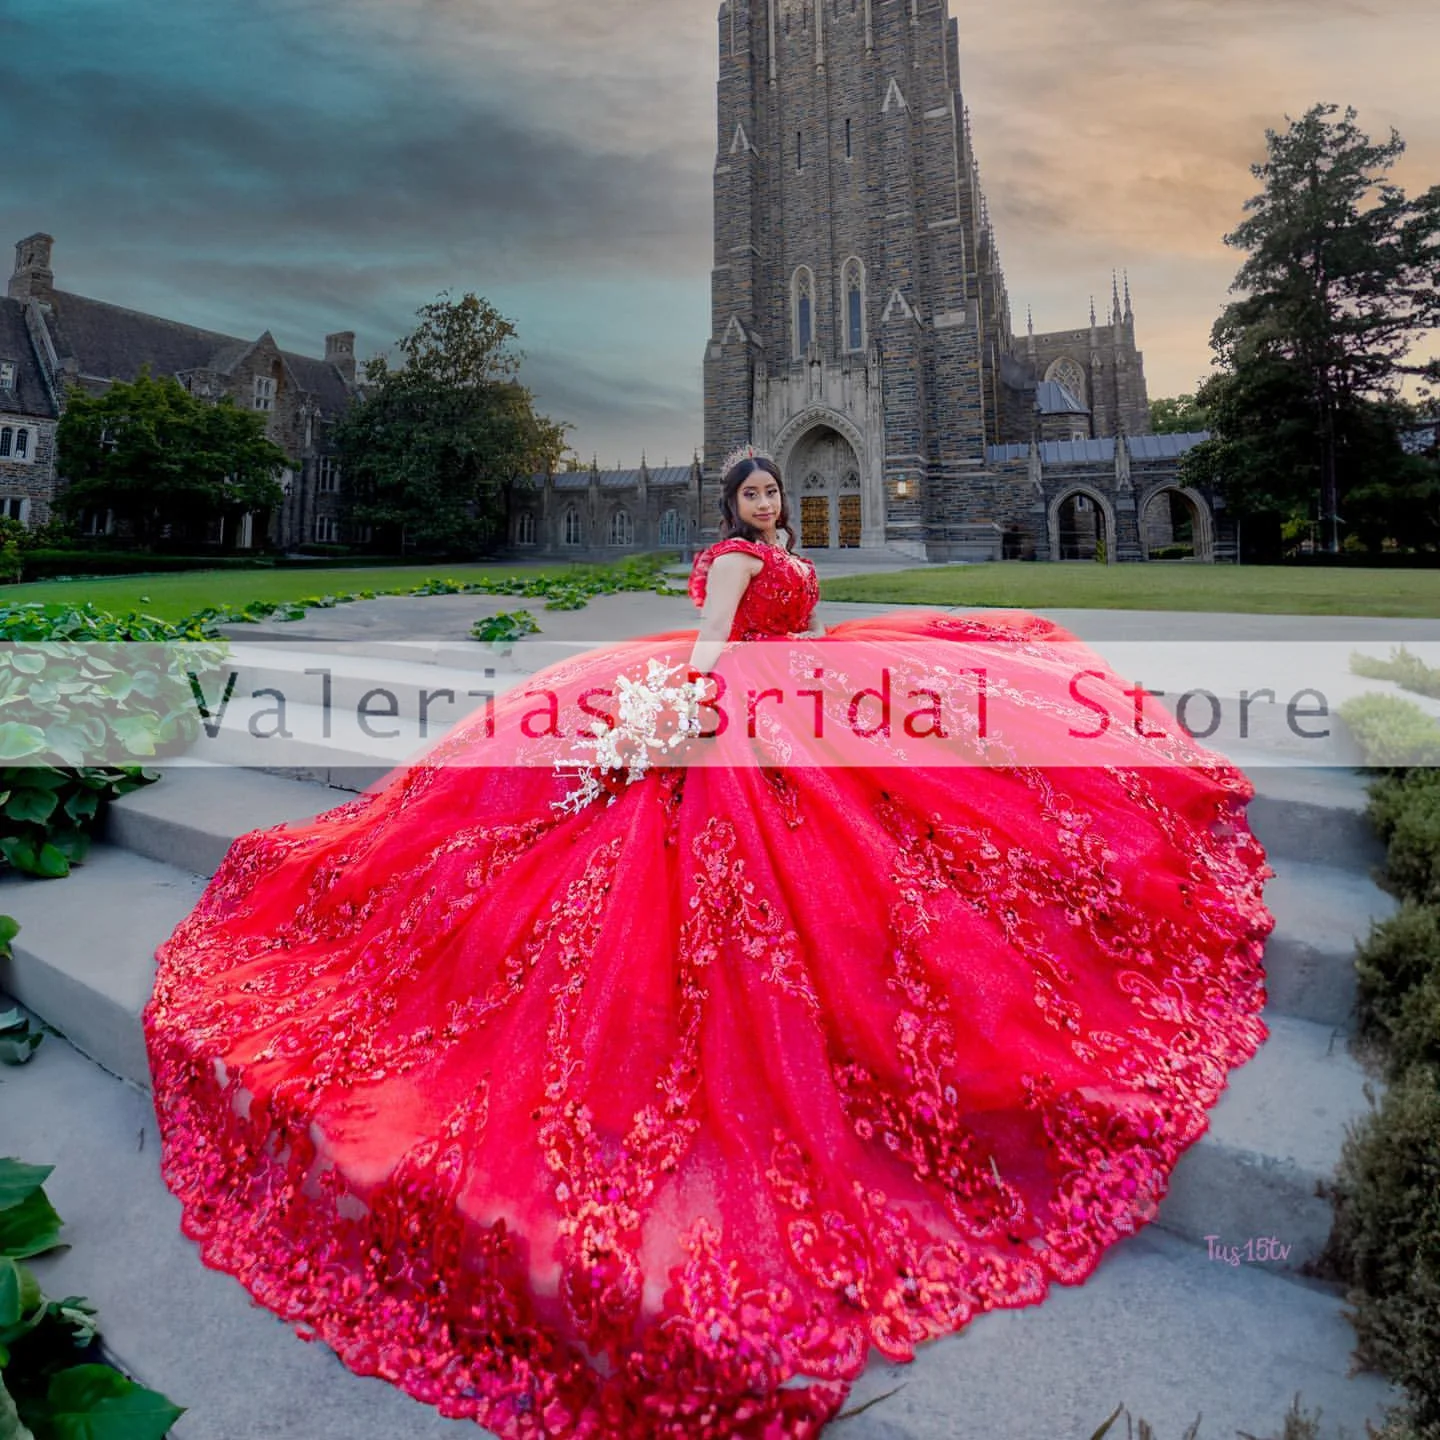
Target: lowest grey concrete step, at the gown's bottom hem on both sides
x=1158 y=1326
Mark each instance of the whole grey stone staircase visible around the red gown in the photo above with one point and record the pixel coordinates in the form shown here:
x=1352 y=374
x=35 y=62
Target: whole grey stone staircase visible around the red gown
x=1166 y=1324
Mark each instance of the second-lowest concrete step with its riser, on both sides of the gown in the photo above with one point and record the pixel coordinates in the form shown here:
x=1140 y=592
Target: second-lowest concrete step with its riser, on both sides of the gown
x=87 y=967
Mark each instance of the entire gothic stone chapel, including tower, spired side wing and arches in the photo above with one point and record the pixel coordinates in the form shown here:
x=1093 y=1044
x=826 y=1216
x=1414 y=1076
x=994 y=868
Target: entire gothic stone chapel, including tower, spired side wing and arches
x=862 y=330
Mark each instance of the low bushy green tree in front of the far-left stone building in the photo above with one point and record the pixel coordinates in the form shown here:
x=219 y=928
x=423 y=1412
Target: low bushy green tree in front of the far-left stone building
x=156 y=456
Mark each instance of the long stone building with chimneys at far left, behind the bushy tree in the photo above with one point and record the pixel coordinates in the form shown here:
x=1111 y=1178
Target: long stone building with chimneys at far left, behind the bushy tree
x=53 y=341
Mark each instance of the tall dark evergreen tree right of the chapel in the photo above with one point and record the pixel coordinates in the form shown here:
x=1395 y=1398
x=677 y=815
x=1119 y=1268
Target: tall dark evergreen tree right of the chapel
x=1338 y=287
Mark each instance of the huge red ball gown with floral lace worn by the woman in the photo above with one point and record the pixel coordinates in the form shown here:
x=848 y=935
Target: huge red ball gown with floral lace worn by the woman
x=656 y=1118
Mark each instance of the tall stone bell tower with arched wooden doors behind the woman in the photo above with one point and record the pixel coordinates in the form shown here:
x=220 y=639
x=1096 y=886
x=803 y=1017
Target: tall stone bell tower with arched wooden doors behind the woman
x=858 y=306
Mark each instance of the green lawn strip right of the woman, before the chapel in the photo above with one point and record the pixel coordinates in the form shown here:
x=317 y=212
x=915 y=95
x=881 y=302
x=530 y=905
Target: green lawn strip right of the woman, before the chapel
x=1158 y=587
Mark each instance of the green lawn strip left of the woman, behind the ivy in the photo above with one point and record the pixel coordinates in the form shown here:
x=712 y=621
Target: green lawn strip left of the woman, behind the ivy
x=174 y=597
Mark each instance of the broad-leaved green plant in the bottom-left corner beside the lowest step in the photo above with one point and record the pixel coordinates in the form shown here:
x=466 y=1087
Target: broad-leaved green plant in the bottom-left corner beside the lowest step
x=53 y=1386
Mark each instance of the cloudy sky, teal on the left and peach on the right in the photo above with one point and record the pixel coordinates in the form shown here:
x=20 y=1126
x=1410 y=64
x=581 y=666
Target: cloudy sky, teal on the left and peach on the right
x=323 y=165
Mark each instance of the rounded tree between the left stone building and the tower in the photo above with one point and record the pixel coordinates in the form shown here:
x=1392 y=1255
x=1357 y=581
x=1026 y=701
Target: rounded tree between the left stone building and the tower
x=431 y=447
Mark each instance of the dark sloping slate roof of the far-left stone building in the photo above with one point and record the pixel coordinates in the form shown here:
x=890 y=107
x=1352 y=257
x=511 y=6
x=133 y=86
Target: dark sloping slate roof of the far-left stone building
x=113 y=343
